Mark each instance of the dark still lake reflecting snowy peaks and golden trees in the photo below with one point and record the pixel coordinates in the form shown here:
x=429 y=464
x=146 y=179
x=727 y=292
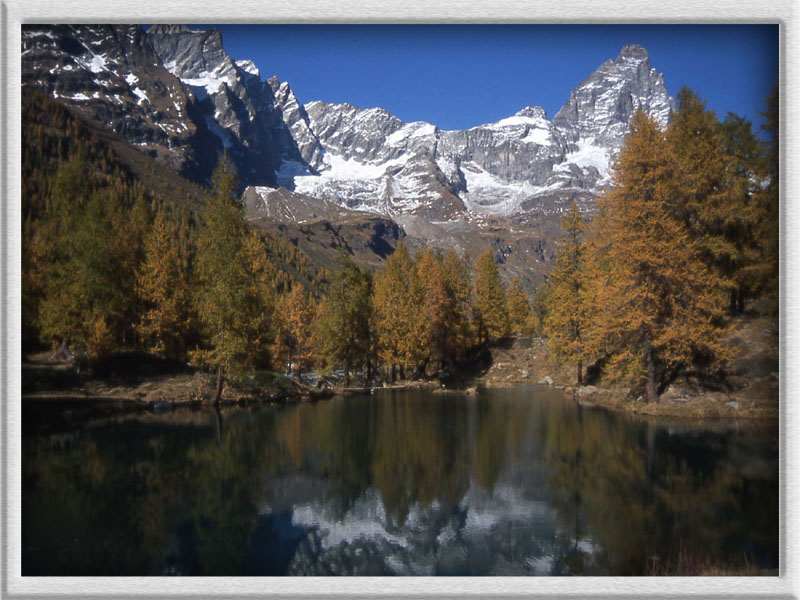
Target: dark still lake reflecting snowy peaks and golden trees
x=512 y=482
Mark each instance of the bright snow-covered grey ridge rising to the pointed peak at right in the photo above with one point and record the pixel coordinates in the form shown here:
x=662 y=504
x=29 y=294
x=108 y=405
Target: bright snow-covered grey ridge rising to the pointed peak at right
x=367 y=159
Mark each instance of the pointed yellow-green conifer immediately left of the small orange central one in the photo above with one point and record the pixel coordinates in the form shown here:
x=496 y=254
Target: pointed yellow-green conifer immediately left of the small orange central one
x=491 y=316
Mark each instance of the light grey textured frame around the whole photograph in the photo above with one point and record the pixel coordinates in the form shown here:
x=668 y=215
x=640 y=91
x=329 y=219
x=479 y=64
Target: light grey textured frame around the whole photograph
x=15 y=12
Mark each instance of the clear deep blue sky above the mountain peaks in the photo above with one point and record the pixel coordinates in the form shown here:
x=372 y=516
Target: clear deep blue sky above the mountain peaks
x=459 y=76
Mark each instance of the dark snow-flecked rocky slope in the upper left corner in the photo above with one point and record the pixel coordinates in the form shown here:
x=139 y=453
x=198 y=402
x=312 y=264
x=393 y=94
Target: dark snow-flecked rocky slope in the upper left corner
x=113 y=75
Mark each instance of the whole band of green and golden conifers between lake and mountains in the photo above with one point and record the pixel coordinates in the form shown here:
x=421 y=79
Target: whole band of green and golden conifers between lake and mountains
x=685 y=238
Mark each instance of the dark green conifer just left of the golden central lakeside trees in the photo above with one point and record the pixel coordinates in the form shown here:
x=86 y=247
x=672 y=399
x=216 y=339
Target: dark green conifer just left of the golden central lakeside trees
x=342 y=333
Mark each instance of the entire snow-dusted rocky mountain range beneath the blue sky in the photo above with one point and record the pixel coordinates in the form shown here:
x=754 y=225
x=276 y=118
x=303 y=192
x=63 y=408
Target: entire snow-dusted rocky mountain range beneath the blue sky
x=176 y=94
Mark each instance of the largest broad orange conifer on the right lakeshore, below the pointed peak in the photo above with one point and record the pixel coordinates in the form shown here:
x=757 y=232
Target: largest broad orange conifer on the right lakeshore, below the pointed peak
x=660 y=301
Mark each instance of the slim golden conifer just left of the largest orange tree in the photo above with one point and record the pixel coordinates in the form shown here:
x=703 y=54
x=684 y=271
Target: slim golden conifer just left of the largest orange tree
x=569 y=309
